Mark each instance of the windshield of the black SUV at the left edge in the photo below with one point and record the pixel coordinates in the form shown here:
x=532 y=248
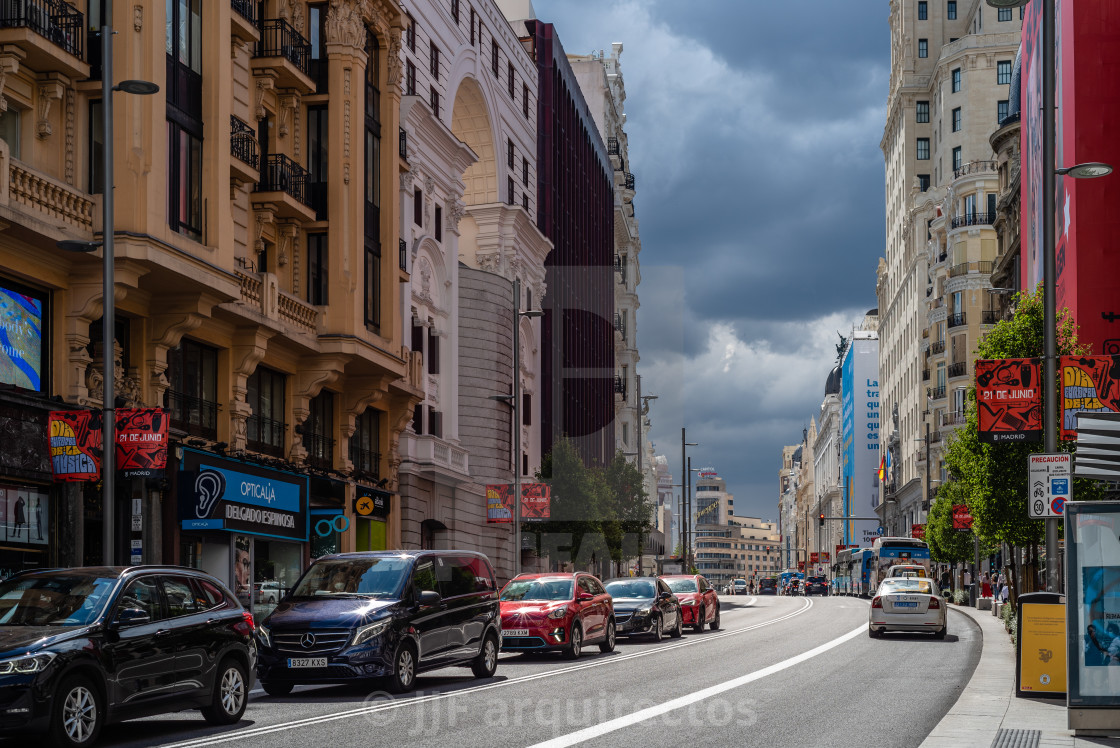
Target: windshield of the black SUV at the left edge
x=70 y=600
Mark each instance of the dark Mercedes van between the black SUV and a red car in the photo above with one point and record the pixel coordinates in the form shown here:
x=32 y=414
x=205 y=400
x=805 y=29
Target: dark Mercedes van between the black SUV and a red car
x=387 y=614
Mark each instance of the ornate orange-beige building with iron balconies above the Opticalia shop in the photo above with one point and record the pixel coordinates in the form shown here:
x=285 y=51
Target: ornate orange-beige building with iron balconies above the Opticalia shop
x=258 y=280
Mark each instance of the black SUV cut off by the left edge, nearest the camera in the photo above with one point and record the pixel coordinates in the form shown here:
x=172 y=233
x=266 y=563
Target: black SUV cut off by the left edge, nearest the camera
x=86 y=647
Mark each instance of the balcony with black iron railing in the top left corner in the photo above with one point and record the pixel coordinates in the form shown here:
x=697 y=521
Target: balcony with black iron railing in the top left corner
x=40 y=29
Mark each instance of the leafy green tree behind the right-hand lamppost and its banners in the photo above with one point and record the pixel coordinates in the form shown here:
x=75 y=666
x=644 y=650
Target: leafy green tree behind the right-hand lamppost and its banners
x=993 y=479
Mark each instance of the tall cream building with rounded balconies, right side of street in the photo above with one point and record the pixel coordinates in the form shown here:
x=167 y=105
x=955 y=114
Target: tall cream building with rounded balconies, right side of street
x=950 y=88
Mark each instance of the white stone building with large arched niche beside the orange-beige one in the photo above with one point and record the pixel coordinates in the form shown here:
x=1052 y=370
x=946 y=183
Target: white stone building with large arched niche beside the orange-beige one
x=469 y=121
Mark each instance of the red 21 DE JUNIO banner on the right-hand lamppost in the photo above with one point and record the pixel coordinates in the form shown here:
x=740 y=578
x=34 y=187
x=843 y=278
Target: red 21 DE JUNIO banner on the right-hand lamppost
x=1009 y=400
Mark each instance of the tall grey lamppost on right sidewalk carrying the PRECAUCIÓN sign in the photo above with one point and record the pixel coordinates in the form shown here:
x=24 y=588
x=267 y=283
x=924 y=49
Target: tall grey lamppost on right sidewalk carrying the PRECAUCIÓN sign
x=1050 y=285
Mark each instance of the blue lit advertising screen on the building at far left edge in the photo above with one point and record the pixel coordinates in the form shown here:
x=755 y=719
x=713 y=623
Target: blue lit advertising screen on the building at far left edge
x=22 y=351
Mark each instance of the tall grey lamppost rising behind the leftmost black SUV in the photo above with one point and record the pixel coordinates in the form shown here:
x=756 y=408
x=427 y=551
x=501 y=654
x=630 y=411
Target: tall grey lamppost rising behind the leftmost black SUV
x=108 y=317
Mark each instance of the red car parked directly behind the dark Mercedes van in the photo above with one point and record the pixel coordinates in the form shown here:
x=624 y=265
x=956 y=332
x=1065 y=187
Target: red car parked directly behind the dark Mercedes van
x=563 y=612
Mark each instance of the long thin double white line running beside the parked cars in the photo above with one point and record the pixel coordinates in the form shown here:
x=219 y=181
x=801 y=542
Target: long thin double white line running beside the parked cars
x=253 y=733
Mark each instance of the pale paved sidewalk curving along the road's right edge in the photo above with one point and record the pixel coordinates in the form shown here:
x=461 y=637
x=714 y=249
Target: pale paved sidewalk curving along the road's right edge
x=988 y=710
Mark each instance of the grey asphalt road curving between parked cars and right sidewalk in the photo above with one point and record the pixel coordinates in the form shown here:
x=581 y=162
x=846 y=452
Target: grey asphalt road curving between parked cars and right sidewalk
x=780 y=672
